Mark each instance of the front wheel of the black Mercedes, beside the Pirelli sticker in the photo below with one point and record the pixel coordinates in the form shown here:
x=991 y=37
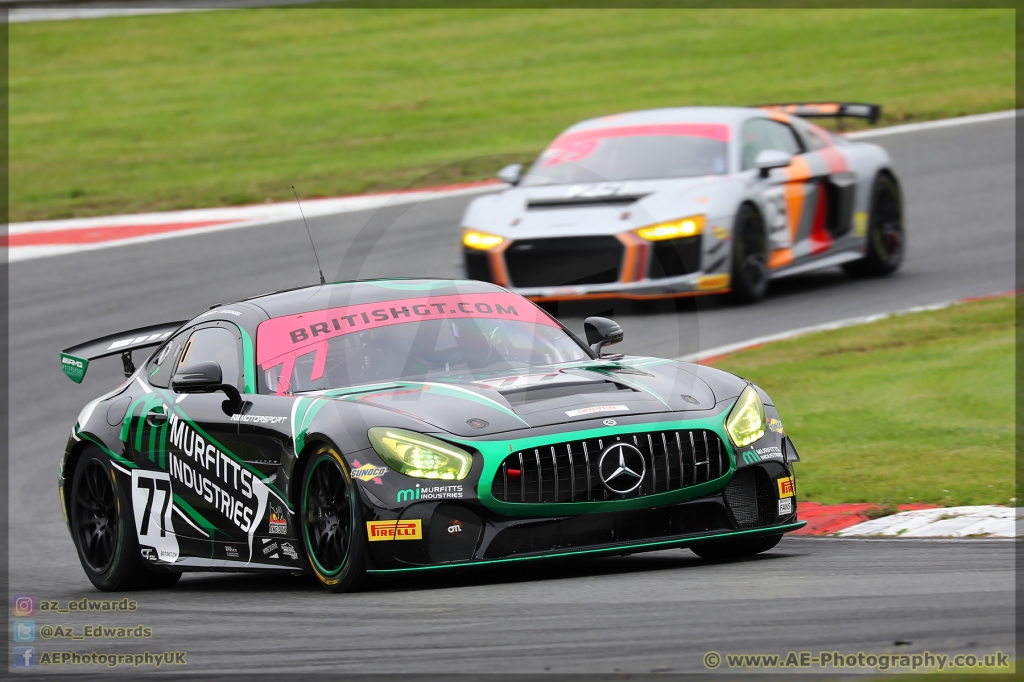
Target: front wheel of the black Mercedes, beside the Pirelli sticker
x=332 y=525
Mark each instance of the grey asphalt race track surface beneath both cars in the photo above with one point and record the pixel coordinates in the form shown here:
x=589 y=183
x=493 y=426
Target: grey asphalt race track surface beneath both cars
x=658 y=612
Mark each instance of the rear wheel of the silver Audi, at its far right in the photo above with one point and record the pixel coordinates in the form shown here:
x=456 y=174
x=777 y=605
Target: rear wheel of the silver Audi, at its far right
x=886 y=238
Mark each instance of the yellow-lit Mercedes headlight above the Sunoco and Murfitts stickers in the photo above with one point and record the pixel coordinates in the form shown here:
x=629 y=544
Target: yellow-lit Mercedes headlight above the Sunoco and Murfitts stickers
x=420 y=456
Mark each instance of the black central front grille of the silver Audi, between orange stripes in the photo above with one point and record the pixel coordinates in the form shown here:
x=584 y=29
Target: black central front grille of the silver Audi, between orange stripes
x=565 y=262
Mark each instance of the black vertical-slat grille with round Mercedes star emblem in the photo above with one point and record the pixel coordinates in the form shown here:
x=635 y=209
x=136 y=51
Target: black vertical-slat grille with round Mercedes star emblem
x=569 y=472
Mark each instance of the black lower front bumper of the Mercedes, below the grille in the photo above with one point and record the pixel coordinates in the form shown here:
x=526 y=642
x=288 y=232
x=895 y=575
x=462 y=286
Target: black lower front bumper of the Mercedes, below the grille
x=465 y=533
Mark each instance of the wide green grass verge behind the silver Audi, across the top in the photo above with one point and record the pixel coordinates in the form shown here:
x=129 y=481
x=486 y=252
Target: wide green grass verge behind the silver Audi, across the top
x=226 y=108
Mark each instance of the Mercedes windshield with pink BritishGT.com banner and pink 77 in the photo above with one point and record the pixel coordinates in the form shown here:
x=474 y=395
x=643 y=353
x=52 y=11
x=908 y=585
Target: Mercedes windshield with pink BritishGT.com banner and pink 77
x=408 y=339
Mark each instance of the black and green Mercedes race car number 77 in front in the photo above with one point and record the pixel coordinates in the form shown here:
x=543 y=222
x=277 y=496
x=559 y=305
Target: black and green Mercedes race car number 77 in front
x=406 y=425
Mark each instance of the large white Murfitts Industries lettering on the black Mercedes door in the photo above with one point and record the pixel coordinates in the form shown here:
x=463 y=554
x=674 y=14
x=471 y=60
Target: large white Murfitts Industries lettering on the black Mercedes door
x=216 y=478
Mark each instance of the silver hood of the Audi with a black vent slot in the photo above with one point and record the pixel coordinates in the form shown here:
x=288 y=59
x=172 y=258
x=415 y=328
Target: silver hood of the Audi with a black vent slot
x=591 y=209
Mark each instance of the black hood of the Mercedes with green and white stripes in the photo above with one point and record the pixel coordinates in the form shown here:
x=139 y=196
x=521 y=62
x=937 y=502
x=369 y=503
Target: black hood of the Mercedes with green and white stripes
x=545 y=397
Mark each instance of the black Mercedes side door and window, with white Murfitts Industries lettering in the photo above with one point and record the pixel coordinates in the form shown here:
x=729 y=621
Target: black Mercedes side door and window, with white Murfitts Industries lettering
x=221 y=496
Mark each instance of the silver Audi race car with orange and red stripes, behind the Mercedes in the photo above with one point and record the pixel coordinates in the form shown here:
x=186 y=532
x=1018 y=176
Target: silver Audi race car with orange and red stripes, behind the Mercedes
x=692 y=201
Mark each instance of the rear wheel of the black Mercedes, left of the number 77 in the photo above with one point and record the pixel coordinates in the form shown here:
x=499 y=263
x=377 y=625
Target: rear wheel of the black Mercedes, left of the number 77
x=104 y=529
